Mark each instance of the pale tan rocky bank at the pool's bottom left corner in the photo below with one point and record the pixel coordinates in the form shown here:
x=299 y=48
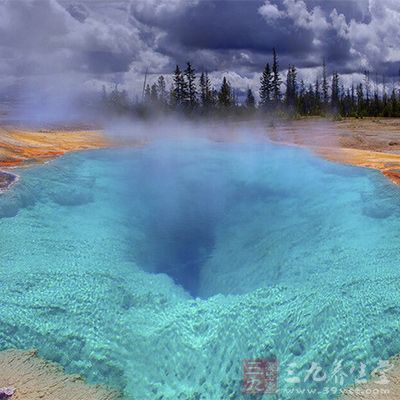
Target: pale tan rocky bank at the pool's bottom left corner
x=34 y=378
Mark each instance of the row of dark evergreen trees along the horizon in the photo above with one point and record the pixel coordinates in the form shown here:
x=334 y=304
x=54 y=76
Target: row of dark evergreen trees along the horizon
x=195 y=95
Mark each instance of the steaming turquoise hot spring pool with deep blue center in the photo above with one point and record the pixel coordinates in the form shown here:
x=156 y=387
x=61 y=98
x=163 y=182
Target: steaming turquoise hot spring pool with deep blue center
x=157 y=270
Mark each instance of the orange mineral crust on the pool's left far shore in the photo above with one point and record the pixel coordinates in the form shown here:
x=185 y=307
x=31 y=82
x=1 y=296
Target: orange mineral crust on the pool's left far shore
x=26 y=146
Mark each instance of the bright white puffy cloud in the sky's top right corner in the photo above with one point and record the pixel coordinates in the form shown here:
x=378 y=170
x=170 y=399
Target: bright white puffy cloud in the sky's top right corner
x=372 y=41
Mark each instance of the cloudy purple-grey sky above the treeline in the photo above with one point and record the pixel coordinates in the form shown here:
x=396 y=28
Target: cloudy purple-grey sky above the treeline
x=87 y=43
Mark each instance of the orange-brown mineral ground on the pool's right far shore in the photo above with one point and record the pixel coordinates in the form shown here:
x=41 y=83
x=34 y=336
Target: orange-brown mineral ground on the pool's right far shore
x=369 y=143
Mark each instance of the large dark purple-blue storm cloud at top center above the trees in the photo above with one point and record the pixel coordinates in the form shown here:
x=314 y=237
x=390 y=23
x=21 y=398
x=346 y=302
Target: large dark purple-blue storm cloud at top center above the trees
x=224 y=25
